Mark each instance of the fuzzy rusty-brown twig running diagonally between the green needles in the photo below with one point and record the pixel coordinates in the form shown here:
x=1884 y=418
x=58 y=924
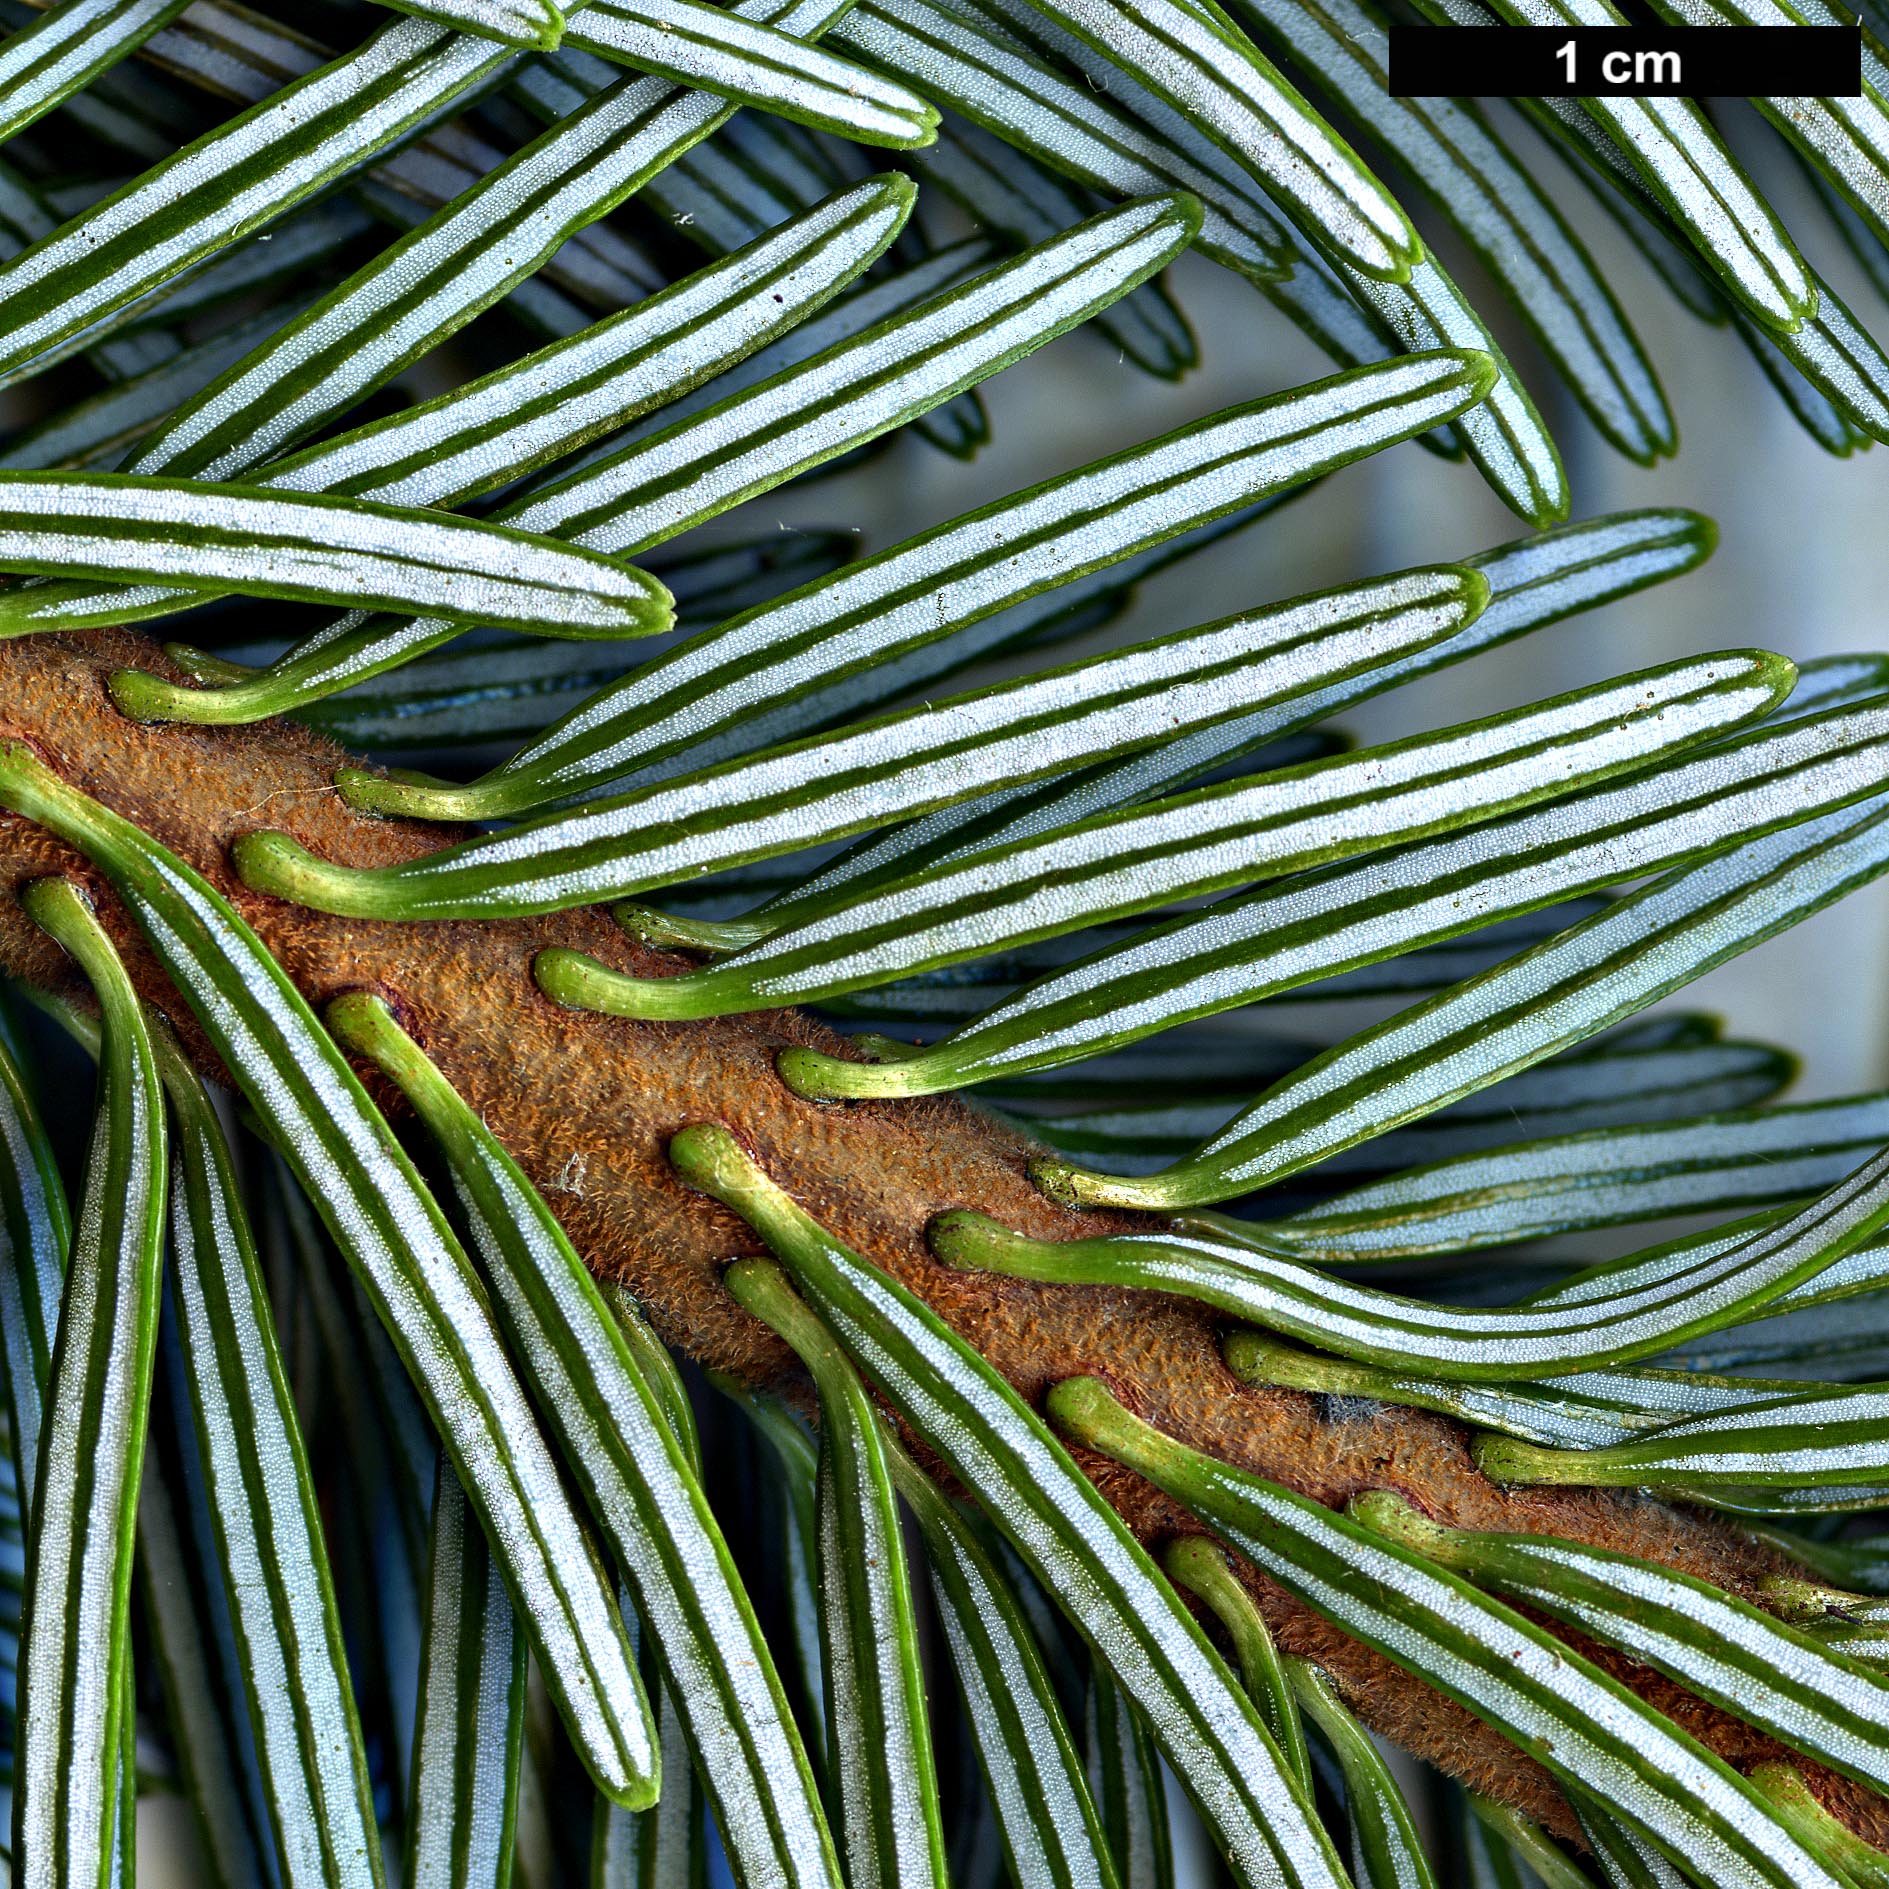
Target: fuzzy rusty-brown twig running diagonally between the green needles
x=588 y=1106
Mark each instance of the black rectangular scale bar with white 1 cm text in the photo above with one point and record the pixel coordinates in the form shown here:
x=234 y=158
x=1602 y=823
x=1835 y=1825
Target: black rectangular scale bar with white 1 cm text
x=1625 y=63
